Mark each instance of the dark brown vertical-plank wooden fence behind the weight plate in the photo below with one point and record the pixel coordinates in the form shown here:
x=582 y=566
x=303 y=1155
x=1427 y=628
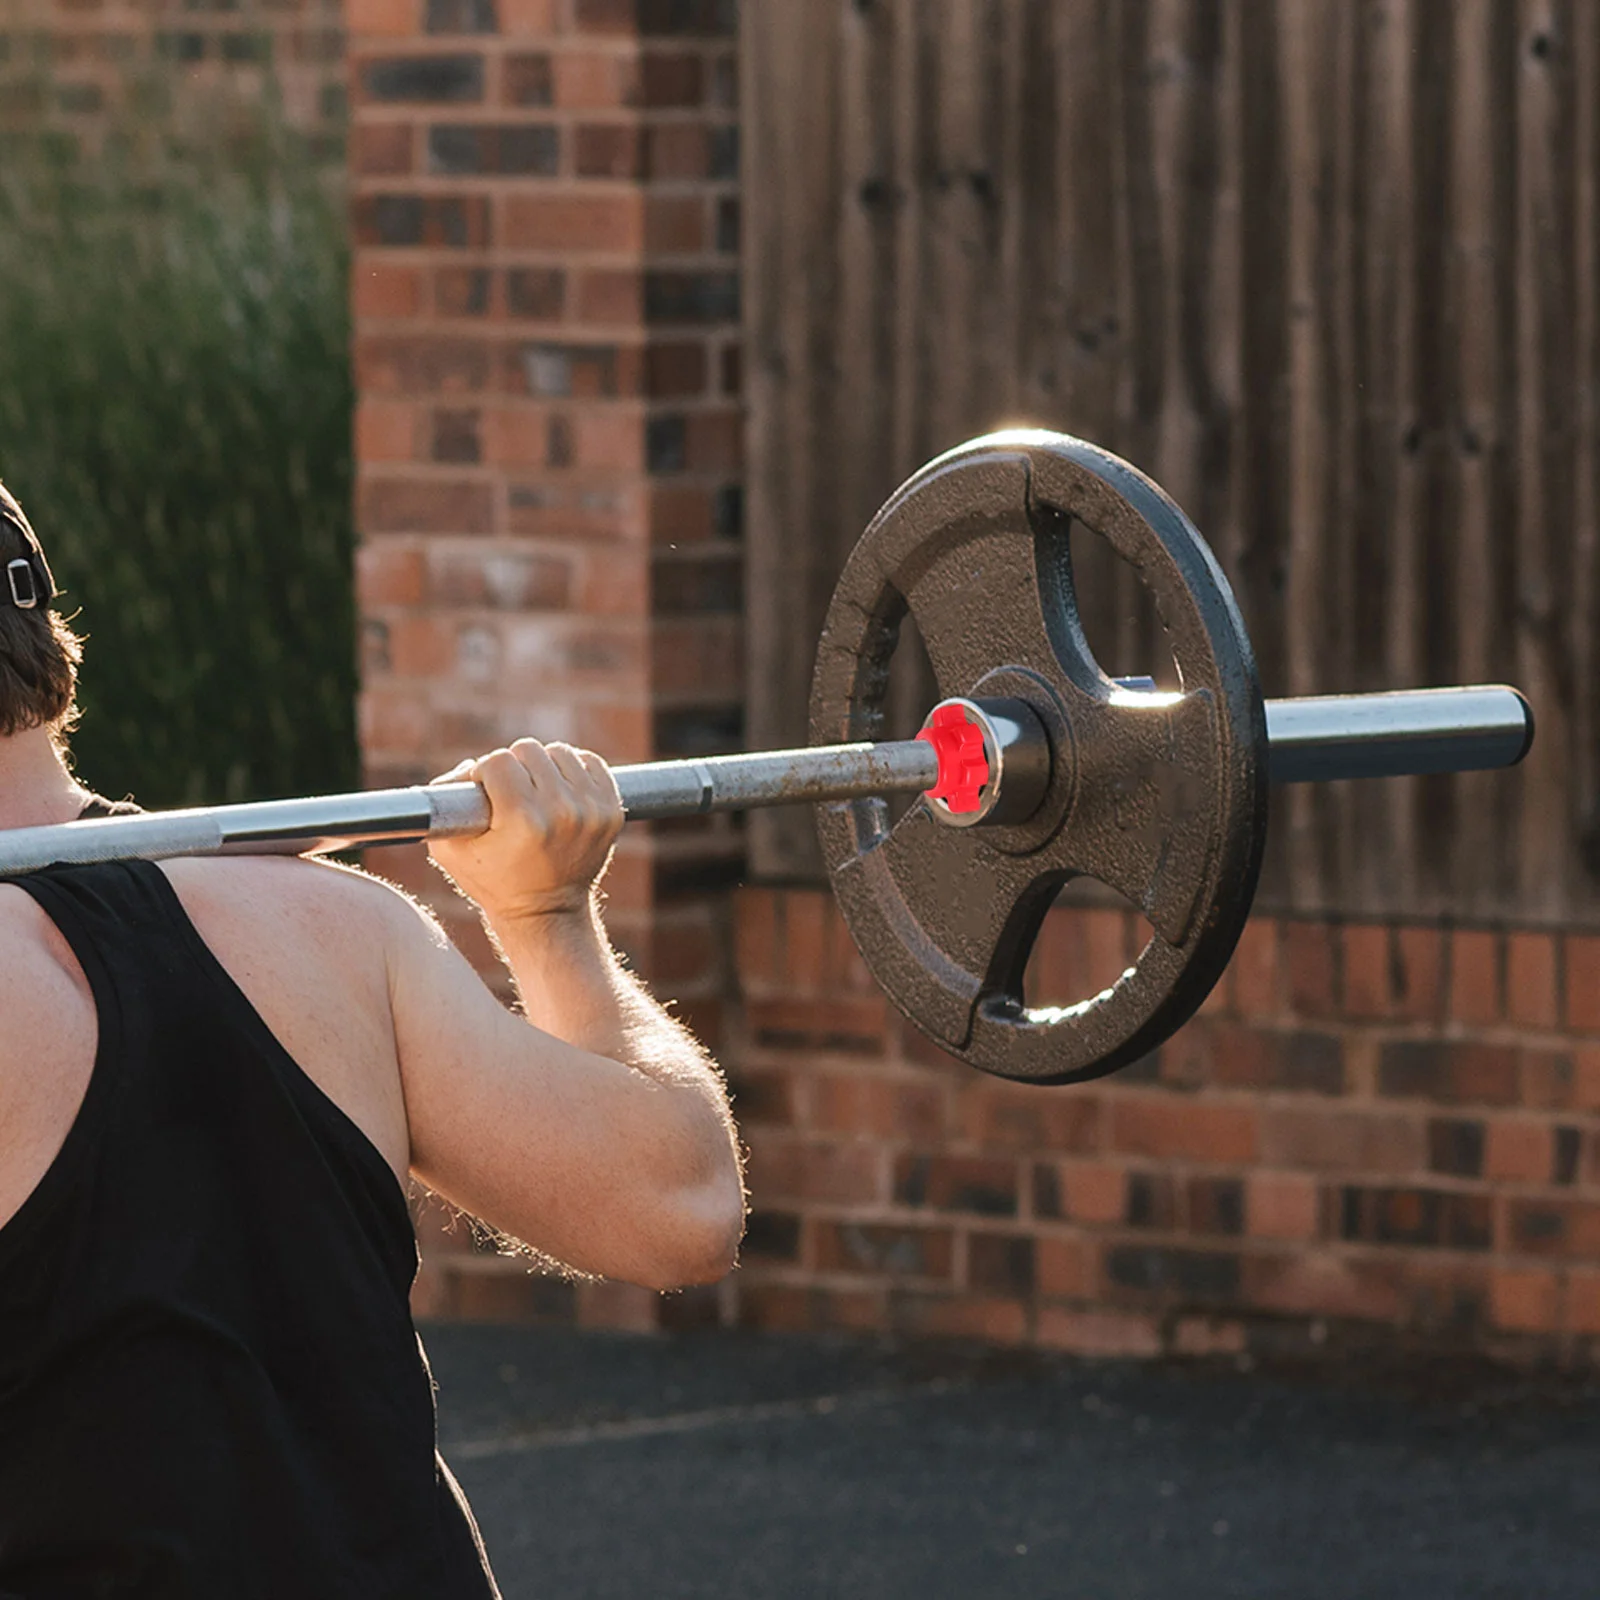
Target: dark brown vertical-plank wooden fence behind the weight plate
x=1329 y=270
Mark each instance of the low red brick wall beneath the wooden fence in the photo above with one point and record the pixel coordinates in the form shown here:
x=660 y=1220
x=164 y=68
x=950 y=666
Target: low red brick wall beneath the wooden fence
x=1370 y=1134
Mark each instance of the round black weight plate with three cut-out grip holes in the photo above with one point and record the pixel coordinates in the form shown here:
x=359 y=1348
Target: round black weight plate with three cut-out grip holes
x=1159 y=796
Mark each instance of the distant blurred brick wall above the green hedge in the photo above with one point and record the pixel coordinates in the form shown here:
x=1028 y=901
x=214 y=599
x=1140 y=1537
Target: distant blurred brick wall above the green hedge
x=82 y=68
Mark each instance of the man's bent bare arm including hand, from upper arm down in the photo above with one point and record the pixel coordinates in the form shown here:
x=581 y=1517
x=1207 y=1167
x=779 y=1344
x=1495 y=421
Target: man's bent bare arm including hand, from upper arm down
x=596 y=1130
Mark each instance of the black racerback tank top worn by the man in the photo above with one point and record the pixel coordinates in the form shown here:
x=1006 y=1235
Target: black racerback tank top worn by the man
x=210 y=1383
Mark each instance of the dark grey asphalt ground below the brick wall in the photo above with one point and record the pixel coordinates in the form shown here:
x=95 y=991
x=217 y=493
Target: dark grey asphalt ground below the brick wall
x=766 y=1470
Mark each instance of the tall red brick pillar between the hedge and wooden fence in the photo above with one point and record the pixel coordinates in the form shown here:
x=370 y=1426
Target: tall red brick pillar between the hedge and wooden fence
x=548 y=434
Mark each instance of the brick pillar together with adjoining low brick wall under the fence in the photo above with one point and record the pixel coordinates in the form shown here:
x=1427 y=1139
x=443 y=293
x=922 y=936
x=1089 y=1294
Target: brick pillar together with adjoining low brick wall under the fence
x=1370 y=1134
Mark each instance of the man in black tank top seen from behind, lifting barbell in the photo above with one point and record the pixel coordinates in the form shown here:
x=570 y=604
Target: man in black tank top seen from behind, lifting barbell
x=215 y=1081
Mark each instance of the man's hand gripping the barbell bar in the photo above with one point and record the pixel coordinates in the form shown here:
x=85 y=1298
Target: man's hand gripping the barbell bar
x=554 y=818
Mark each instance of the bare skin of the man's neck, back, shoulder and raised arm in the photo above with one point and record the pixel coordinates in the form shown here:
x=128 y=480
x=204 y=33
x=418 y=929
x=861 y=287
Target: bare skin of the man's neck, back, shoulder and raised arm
x=594 y=1129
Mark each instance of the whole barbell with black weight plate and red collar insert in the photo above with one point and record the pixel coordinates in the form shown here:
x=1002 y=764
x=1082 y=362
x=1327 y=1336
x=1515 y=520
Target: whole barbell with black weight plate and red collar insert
x=1034 y=769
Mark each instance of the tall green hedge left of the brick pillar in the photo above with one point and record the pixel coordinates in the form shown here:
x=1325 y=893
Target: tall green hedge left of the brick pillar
x=175 y=415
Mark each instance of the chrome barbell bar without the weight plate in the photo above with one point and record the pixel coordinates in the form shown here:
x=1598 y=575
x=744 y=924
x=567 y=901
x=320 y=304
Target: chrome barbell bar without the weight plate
x=1311 y=740
